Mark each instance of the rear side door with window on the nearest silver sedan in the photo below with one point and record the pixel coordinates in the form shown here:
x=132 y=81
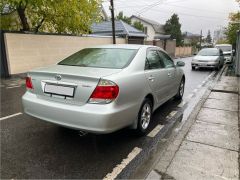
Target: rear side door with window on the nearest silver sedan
x=156 y=75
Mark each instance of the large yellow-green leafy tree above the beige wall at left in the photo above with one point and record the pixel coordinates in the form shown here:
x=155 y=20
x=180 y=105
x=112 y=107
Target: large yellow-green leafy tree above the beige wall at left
x=61 y=16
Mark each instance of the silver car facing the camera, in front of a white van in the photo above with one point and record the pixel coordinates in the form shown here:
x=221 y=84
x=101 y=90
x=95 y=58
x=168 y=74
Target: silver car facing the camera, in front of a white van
x=208 y=58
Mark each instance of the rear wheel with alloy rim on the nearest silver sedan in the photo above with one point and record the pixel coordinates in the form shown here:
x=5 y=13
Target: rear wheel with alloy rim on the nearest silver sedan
x=144 y=117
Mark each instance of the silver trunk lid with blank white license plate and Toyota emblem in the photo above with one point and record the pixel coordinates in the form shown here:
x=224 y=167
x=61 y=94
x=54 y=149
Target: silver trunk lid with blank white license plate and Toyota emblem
x=67 y=84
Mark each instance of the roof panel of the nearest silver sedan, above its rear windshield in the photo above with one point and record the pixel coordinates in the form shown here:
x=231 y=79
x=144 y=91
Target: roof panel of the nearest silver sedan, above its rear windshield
x=124 y=46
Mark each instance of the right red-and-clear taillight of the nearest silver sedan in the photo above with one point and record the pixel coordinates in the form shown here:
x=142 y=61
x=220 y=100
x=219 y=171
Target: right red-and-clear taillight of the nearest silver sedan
x=105 y=92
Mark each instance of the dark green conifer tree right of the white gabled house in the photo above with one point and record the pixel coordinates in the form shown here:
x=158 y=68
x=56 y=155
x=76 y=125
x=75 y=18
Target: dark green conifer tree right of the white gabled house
x=173 y=27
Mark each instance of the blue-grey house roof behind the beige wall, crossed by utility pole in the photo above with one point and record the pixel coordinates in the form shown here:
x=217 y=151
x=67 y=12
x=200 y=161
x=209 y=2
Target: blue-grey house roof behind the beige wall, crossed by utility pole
x=121 y=29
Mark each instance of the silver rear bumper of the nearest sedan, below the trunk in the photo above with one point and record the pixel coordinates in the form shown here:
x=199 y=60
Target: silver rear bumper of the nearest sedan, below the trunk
x=89 y=117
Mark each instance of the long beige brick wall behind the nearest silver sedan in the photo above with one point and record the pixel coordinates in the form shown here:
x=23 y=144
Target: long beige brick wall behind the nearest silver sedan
x=28 y=51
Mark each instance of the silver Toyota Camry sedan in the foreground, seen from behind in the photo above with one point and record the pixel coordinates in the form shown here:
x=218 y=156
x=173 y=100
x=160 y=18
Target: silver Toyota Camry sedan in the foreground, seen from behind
x=105 y=88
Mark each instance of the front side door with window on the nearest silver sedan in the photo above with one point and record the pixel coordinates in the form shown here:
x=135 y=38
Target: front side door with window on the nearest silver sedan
x=170 y=67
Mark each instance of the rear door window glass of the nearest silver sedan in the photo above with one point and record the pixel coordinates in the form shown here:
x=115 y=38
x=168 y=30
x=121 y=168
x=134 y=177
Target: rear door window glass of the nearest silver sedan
x=153 y=60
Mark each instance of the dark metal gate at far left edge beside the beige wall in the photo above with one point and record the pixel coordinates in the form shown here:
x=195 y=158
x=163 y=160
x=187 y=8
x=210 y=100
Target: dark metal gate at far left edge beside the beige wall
x=4 y=64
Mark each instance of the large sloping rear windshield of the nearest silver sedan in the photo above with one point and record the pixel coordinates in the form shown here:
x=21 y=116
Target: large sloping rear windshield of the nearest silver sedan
x=101 y=58
